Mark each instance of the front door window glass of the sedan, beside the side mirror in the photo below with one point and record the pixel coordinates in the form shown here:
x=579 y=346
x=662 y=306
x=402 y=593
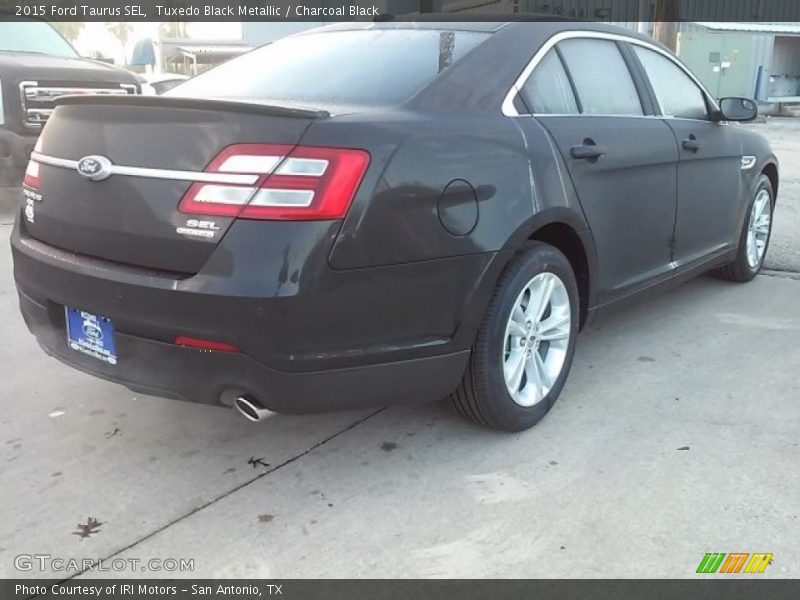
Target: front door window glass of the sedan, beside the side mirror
x=677 y=94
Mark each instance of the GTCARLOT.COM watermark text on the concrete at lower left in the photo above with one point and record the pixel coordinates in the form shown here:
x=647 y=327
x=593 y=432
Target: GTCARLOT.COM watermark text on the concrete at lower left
x=48 y=562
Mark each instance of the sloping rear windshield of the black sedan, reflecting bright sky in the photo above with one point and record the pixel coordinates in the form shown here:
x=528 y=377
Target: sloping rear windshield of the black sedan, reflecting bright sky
x=364 y=67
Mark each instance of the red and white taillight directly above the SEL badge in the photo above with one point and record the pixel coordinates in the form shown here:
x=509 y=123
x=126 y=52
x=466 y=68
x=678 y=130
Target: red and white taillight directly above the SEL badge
x=300 y=183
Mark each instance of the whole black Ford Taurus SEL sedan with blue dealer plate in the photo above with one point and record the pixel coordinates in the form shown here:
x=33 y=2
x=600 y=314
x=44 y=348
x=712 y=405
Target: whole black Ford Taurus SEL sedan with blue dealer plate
x=379 y=213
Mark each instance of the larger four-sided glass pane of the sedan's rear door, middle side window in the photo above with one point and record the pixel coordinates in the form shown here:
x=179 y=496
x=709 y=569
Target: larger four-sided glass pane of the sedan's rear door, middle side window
x=602 y=79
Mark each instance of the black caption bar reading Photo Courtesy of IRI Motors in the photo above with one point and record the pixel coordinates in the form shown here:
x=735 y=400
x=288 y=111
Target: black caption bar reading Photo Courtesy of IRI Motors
x=738 y=588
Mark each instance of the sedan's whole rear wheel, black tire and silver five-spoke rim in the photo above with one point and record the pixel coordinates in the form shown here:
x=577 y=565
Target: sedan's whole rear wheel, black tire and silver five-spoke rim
x=524 y=348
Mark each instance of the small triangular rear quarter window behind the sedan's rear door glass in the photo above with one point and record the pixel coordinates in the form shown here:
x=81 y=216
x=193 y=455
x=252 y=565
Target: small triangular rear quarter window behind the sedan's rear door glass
x=548 y=90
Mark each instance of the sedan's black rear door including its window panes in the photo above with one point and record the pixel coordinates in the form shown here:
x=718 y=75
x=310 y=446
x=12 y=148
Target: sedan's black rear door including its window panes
x=621 y=159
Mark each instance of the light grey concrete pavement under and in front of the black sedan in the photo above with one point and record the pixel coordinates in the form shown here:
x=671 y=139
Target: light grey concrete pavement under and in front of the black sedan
x=676 y=435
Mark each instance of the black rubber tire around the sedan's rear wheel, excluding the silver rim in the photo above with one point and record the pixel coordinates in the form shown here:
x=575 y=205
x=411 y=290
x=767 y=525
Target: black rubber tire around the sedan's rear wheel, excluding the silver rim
x=483 y=396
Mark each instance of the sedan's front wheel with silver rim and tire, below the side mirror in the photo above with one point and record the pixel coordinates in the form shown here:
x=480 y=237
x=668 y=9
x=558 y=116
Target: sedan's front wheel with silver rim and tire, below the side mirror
x=755 y=235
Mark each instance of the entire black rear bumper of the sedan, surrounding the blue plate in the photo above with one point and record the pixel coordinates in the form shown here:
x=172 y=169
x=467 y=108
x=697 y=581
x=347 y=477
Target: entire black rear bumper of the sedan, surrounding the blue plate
x=370 y=337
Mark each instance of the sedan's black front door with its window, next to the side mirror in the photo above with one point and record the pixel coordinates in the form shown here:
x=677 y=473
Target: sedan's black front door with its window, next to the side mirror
x=709 y=172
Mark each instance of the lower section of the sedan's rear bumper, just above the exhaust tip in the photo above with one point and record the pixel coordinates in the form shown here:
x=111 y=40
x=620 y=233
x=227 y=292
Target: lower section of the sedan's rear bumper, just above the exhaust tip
x=163 y=369
